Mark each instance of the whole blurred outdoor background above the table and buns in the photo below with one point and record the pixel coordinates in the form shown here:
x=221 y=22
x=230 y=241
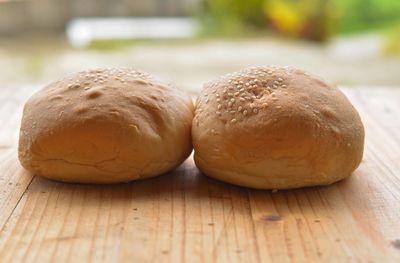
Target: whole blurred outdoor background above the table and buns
x=348 y=42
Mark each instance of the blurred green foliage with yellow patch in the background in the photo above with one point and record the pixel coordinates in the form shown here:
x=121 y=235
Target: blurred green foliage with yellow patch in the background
x=310 y=19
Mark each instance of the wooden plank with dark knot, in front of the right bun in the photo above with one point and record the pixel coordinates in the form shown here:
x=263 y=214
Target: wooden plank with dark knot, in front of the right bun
x=311 y=225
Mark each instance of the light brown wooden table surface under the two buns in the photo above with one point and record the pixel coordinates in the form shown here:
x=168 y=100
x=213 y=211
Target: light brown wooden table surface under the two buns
x=186 y=217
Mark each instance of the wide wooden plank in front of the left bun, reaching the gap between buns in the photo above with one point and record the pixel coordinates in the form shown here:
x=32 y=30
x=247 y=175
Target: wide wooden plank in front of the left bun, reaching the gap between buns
x=180 y=217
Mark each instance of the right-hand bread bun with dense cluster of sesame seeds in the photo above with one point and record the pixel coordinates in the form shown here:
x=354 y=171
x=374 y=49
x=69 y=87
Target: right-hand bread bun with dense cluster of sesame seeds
x=276 y=128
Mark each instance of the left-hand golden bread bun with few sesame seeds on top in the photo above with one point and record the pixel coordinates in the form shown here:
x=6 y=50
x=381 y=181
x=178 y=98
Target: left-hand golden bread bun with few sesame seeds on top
x=106 y=126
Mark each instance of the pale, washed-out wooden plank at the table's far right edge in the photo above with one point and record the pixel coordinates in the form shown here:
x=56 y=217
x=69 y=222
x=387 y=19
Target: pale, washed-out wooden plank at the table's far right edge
x=379 y=109
